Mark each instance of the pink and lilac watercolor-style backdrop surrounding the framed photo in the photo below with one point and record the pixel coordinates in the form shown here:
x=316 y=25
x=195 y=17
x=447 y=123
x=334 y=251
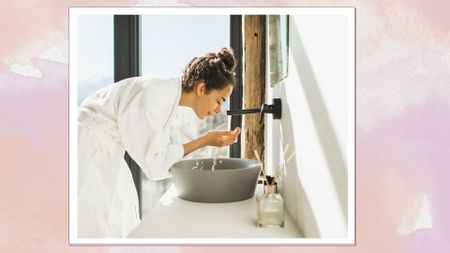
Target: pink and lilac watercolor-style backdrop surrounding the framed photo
x=403 y=117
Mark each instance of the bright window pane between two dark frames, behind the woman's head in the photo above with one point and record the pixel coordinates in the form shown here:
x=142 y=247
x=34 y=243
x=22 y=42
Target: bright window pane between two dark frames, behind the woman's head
x=169 y=42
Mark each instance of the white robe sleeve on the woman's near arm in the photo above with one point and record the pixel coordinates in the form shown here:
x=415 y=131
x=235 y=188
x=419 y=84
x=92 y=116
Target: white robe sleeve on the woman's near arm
x=148 y=144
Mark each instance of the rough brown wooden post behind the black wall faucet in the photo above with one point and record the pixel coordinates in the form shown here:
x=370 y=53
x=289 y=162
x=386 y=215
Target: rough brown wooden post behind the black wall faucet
x=254 y=83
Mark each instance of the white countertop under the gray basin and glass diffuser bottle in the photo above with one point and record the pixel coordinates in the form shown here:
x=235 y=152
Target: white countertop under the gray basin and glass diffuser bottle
x=173 y=217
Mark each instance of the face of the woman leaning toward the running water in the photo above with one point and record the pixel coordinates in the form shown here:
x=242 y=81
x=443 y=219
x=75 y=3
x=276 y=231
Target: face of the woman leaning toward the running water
x=210 y=103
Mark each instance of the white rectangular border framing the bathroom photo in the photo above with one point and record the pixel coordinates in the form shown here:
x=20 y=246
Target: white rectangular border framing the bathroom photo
x=74 y=12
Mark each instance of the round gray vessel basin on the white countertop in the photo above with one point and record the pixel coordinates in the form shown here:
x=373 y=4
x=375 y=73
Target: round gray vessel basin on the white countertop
x=233 y=179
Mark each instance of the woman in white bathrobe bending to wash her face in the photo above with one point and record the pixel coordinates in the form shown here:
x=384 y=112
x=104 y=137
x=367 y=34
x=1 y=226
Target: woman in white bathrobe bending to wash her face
x=134 y=115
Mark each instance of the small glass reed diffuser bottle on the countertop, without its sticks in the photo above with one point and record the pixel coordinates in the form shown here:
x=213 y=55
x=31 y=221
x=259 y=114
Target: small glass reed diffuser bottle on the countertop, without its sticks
x=269 y=209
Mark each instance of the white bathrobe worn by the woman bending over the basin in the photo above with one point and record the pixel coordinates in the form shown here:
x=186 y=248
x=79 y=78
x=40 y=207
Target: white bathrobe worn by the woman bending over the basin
x=132 y=115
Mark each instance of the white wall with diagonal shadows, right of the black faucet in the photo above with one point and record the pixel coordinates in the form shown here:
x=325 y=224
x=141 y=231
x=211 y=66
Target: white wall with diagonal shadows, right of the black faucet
x=318 y=123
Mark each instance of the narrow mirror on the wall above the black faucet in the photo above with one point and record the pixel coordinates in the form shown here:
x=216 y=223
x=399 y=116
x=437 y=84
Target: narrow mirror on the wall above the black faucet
x=278 y=31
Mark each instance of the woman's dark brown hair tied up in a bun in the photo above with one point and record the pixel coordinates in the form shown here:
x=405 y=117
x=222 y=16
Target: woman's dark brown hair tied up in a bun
x=216 y=70
